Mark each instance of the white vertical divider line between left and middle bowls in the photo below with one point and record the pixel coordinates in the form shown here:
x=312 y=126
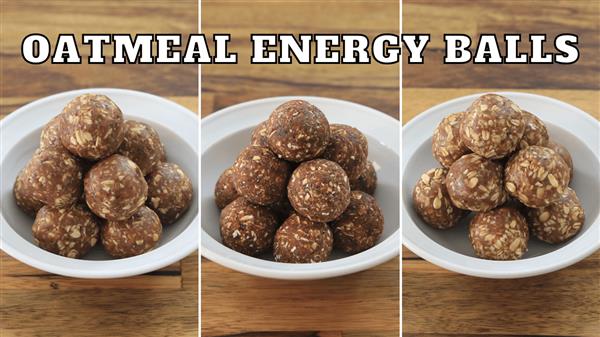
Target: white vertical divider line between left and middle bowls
x=199 y=179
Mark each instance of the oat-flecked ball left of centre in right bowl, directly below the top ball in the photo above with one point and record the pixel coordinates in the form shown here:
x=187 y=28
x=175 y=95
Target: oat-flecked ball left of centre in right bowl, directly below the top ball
x=475 y=183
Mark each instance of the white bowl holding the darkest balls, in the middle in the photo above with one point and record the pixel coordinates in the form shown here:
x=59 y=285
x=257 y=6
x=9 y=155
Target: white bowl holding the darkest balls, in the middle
x=227 y=132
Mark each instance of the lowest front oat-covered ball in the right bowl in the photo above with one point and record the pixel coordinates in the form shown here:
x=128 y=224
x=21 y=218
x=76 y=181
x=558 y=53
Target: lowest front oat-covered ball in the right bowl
x=499 y=234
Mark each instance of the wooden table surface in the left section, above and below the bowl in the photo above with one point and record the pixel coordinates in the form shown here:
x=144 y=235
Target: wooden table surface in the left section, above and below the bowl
x=35 y=303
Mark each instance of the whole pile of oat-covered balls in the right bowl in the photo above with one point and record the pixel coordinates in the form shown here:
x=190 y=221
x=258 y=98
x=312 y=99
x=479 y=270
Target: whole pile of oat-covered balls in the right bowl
x=499 y=162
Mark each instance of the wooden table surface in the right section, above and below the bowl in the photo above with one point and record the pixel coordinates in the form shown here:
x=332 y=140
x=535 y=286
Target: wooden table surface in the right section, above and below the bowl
x=437 y=302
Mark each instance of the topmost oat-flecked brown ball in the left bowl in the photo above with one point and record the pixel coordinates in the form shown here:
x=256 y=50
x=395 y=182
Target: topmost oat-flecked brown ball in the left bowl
x=91 y=126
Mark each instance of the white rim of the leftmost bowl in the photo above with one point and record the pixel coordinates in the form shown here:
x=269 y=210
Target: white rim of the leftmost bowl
x=170 y=252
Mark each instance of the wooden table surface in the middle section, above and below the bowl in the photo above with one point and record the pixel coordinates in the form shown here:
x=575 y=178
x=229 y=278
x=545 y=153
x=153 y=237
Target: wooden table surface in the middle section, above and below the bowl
x=363 y=304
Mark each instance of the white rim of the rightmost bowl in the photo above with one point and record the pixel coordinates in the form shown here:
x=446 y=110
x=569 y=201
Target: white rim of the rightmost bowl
x=574 y=251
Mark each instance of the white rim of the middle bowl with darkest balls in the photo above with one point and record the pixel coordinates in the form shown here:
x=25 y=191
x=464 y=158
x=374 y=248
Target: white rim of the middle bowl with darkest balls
x=217 y=252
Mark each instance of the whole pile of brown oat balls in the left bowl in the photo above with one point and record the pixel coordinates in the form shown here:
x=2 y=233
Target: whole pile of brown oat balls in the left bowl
x=96 y=177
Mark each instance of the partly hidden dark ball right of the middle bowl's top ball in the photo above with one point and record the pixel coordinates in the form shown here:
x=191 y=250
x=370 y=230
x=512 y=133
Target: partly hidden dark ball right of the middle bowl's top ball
x=347 y=147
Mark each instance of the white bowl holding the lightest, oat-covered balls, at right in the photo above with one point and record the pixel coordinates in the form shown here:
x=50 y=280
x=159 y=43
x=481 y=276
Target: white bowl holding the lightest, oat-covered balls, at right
x=451 y=249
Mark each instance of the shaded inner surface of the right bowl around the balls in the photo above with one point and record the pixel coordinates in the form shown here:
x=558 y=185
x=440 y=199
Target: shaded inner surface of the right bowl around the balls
x=584 y=182
